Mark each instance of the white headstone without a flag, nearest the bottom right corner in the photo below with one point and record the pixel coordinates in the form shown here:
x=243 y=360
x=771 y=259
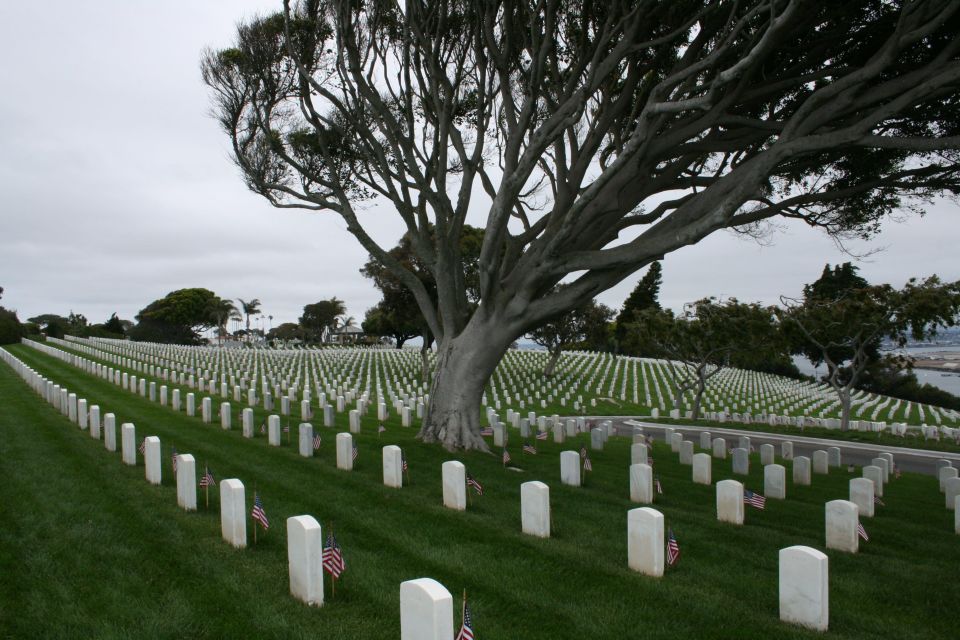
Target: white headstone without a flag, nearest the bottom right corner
x=804 y=590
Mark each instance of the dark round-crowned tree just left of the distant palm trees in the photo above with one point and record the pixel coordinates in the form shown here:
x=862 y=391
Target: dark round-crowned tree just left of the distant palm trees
x=178 y=317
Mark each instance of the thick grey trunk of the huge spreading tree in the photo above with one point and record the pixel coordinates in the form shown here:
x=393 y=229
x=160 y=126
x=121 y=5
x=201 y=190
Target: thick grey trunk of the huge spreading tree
x=464 y=364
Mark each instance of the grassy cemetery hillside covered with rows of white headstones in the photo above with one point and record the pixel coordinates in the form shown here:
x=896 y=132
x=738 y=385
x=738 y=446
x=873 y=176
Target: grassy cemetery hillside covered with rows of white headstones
x=311 y=431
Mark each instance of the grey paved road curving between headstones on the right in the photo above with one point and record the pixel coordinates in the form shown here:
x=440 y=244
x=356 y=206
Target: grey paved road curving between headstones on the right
x=856 y=453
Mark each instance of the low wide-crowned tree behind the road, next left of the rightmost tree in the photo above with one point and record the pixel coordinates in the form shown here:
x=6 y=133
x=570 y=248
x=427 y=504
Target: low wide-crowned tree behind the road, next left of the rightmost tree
x=706 y=339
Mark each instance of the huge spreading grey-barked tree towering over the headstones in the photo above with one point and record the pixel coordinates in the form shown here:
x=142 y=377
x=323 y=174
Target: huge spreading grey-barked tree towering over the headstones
x=602 y=135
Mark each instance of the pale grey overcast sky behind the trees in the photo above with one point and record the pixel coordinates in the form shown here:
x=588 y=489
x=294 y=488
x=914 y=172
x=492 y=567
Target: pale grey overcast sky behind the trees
x=116 y=185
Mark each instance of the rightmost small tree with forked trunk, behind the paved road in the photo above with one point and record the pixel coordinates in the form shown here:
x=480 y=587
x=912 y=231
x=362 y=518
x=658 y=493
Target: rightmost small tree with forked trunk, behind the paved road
x=845 y=332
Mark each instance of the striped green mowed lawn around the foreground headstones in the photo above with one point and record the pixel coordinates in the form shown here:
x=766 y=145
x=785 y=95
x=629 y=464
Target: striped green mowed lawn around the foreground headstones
x=89 y=549
